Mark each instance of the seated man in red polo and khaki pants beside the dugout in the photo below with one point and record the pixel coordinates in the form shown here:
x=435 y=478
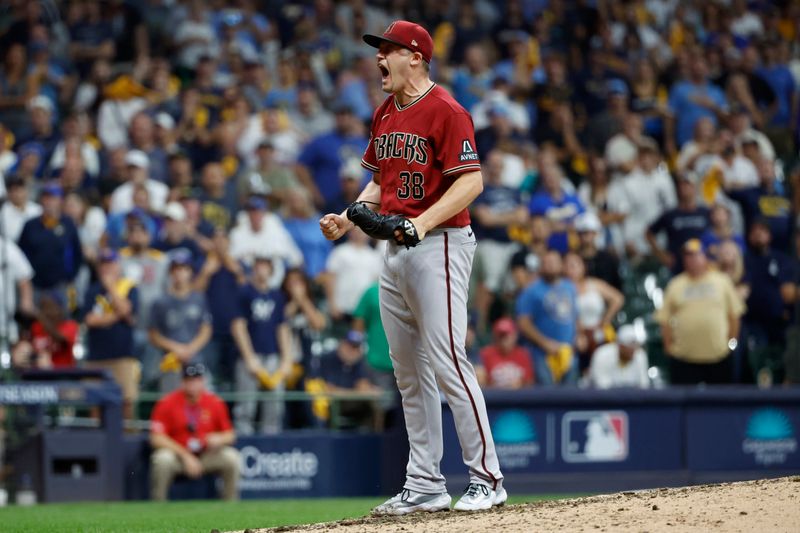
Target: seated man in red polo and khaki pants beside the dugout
x=191 y=434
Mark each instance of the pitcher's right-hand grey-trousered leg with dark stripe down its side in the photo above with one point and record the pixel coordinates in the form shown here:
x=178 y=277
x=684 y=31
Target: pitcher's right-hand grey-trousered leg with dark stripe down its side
x=440 y=282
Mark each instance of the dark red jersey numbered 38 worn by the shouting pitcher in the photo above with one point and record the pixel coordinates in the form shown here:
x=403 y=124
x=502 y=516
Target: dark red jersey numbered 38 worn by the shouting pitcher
x=419 y=150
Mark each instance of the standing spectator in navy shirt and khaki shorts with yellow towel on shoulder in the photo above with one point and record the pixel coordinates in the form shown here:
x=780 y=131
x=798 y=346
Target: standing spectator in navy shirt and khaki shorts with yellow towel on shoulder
x=110 y=309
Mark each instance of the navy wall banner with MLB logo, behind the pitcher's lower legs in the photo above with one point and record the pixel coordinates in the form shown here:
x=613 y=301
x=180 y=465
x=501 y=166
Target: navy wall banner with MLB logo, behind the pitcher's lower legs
x=530 y=440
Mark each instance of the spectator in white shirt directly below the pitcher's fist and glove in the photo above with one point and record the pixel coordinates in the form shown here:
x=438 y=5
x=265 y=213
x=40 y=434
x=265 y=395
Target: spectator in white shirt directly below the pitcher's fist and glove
x=343 y=287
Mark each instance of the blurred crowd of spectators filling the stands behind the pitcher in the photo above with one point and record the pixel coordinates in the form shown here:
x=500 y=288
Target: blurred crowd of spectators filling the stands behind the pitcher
x=165 y=164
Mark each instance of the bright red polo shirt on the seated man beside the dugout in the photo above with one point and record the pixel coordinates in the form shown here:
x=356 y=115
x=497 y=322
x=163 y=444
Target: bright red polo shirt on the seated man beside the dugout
x=175 y=417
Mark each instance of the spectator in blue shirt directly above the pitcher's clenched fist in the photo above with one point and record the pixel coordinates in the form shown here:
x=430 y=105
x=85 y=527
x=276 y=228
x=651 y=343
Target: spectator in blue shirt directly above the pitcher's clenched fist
x=322 y=157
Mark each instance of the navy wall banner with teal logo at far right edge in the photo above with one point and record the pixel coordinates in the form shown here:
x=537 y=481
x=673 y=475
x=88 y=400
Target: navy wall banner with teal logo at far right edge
x=744 y=438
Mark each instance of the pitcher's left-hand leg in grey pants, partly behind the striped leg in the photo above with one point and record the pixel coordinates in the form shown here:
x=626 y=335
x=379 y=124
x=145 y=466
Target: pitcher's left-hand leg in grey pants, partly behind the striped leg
x=425 y=488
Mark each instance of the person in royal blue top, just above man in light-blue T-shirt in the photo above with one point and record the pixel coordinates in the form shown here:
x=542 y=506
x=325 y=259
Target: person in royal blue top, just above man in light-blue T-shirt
x=559 y=207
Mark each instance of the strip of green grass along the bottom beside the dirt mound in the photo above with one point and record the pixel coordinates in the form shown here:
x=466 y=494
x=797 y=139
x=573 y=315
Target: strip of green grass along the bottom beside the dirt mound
x=193 y=516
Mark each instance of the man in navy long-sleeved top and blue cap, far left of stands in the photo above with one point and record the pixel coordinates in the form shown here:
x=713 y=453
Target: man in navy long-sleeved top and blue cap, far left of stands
x=51 y=244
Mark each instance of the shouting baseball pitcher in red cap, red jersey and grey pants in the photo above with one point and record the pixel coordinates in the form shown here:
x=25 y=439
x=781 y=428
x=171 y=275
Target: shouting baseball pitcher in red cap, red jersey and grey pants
x=425 y=168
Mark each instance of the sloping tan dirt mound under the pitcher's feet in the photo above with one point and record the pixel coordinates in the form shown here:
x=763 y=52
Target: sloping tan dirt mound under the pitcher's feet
x=764 y=505
